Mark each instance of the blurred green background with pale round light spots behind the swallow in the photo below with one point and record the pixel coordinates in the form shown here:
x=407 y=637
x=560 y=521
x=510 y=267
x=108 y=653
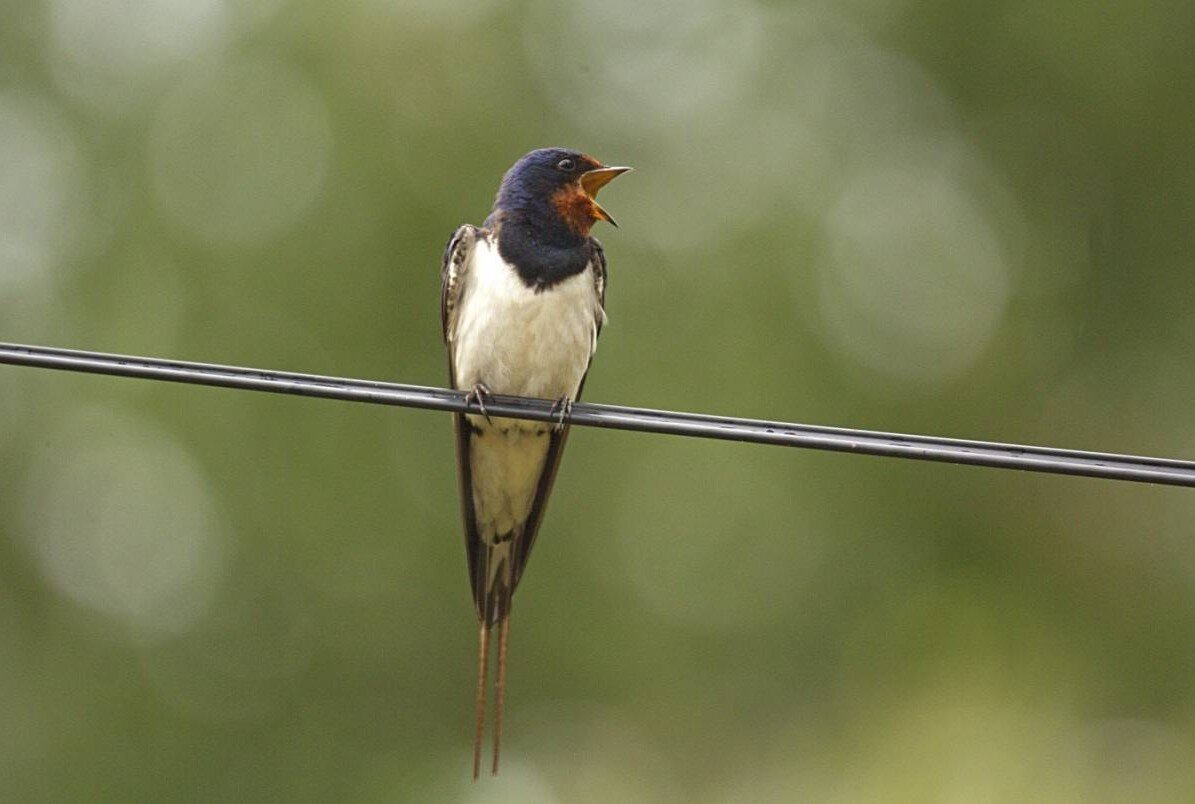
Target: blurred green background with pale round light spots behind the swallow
x=969 y=219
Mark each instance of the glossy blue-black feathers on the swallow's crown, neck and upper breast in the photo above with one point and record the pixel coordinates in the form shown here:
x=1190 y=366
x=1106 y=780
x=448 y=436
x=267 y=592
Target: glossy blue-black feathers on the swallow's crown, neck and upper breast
x=534 y=237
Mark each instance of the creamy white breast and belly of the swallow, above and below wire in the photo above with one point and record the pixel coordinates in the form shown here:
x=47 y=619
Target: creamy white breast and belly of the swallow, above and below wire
x=523 y=343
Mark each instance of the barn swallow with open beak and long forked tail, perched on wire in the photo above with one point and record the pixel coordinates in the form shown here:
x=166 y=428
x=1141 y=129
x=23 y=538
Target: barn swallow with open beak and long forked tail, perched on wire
x=523 y=303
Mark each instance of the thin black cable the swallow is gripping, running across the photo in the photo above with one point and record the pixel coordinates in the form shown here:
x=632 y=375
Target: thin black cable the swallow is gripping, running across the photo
x=865 y=443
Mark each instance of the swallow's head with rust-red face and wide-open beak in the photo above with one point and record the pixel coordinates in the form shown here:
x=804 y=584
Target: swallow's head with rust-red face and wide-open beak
x=557 y=185
